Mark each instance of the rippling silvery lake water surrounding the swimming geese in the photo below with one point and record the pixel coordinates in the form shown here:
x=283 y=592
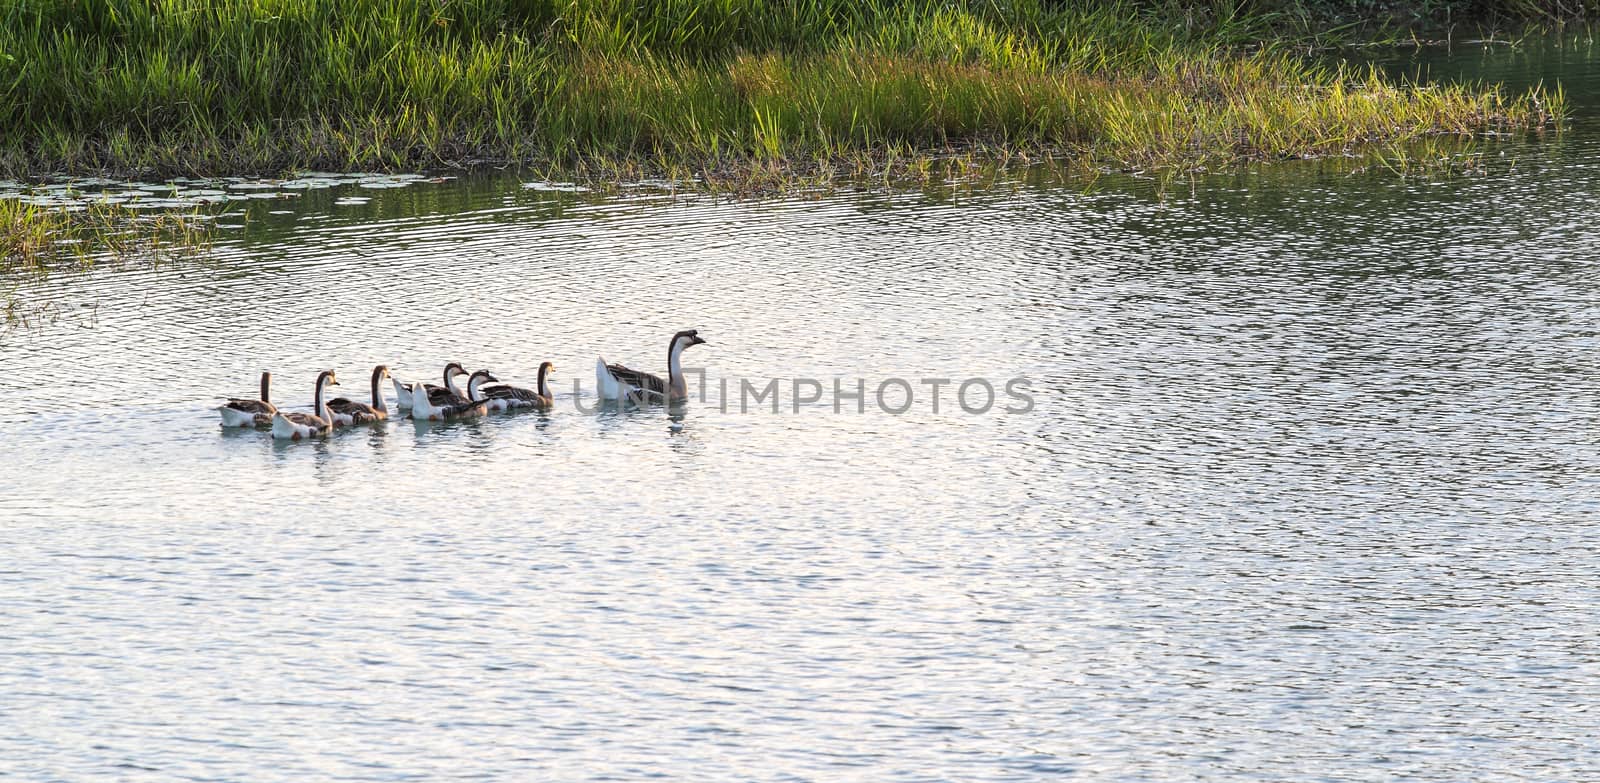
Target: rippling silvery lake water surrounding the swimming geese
x=1310 y=488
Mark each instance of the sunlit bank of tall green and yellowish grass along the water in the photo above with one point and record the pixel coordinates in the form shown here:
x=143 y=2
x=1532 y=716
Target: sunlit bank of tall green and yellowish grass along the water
x=180 y=87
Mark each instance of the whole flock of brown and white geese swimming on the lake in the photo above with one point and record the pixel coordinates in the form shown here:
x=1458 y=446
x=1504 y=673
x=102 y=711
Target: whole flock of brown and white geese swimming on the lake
x=433 y=403
